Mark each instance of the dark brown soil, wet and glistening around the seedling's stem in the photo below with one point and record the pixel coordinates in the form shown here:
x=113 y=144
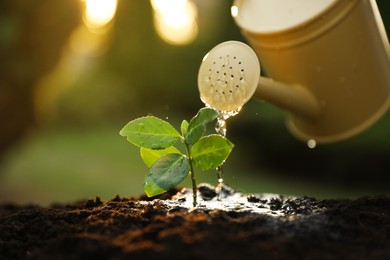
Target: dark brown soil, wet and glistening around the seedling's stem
x=240 y=226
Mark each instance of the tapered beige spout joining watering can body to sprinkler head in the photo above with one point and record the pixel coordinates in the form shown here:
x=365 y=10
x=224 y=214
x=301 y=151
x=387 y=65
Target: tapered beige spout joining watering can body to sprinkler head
x=293 y=98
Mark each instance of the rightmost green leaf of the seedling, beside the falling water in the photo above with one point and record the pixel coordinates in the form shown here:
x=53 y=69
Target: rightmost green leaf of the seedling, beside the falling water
x=211 y=151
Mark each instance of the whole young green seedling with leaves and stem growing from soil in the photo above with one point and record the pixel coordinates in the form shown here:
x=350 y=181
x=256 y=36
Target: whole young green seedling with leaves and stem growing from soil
x=168 y=166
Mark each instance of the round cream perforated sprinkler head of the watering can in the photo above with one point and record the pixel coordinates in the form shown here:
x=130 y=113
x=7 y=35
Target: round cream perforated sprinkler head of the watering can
x=228 y=76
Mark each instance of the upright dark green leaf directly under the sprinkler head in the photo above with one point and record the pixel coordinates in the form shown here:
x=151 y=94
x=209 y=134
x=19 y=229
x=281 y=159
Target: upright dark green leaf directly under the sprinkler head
x=197 y=125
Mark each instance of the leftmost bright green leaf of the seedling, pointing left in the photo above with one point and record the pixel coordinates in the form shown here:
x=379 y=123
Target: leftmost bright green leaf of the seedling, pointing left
x=150 y=132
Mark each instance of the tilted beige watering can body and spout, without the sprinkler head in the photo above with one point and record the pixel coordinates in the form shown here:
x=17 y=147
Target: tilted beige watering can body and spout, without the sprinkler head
x=327 y=63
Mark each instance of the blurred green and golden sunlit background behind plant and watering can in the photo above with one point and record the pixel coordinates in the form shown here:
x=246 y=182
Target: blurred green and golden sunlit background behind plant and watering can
x=74 y=72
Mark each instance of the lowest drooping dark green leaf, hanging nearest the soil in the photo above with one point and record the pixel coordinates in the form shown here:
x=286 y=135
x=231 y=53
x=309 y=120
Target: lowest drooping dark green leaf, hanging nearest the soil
x=166 y=173
